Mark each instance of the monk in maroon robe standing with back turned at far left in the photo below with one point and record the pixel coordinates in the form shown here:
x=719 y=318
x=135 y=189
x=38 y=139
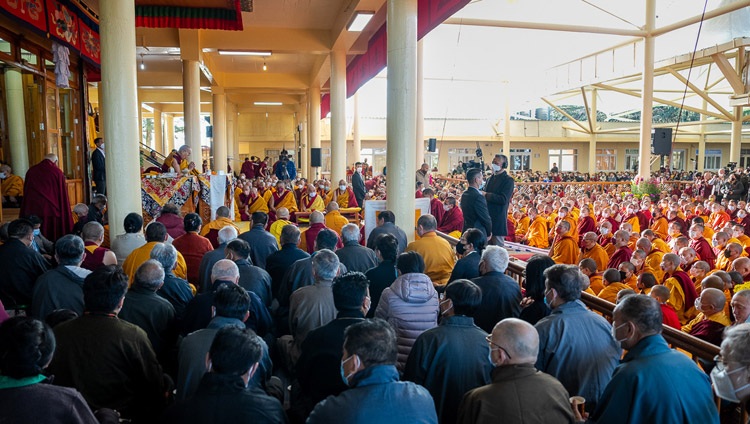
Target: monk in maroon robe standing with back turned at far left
x=46 y=196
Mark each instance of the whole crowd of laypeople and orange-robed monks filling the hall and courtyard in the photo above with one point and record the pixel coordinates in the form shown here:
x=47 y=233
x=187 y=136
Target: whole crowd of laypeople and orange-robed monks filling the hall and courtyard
x=302 y=319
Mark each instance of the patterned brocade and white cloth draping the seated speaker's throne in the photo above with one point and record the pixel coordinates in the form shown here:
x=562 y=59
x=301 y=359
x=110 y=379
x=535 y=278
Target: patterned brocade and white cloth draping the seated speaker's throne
x=202 y=194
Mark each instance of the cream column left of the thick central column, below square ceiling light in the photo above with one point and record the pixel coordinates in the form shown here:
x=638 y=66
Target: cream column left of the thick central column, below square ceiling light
x=338 y=116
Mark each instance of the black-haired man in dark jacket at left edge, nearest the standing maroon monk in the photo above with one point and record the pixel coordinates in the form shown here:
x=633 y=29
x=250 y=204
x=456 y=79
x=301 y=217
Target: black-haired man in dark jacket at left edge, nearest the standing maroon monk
x=21 y=263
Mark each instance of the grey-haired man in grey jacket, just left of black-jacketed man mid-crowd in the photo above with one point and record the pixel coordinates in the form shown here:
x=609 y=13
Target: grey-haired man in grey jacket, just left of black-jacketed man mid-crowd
x=311 y=306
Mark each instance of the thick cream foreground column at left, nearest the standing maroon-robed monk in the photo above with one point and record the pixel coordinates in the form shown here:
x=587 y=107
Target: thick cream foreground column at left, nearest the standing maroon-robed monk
x=117 y=31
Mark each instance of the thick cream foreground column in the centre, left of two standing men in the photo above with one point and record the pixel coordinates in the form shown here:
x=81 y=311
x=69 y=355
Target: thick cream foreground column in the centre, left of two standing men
x=402 y=111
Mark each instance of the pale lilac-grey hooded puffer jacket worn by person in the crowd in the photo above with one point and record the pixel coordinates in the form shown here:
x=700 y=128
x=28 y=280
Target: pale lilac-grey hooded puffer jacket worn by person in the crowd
x=410 y=305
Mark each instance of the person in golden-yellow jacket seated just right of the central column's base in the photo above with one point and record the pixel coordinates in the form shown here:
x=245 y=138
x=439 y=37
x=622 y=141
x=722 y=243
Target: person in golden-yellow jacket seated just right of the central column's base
x=437 y=253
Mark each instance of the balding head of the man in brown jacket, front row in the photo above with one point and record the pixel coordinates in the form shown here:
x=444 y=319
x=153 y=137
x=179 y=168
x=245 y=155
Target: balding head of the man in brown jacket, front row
x=519 y=338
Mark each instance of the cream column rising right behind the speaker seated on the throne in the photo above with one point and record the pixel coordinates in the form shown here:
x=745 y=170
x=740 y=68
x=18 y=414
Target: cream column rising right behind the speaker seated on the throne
x=192 y=106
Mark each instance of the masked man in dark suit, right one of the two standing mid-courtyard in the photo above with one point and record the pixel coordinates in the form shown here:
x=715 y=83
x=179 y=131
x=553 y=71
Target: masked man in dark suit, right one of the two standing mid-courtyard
x=498 y=192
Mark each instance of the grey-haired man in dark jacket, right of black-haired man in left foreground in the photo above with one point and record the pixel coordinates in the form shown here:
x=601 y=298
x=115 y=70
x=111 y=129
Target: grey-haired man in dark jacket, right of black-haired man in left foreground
x=149 y=311
